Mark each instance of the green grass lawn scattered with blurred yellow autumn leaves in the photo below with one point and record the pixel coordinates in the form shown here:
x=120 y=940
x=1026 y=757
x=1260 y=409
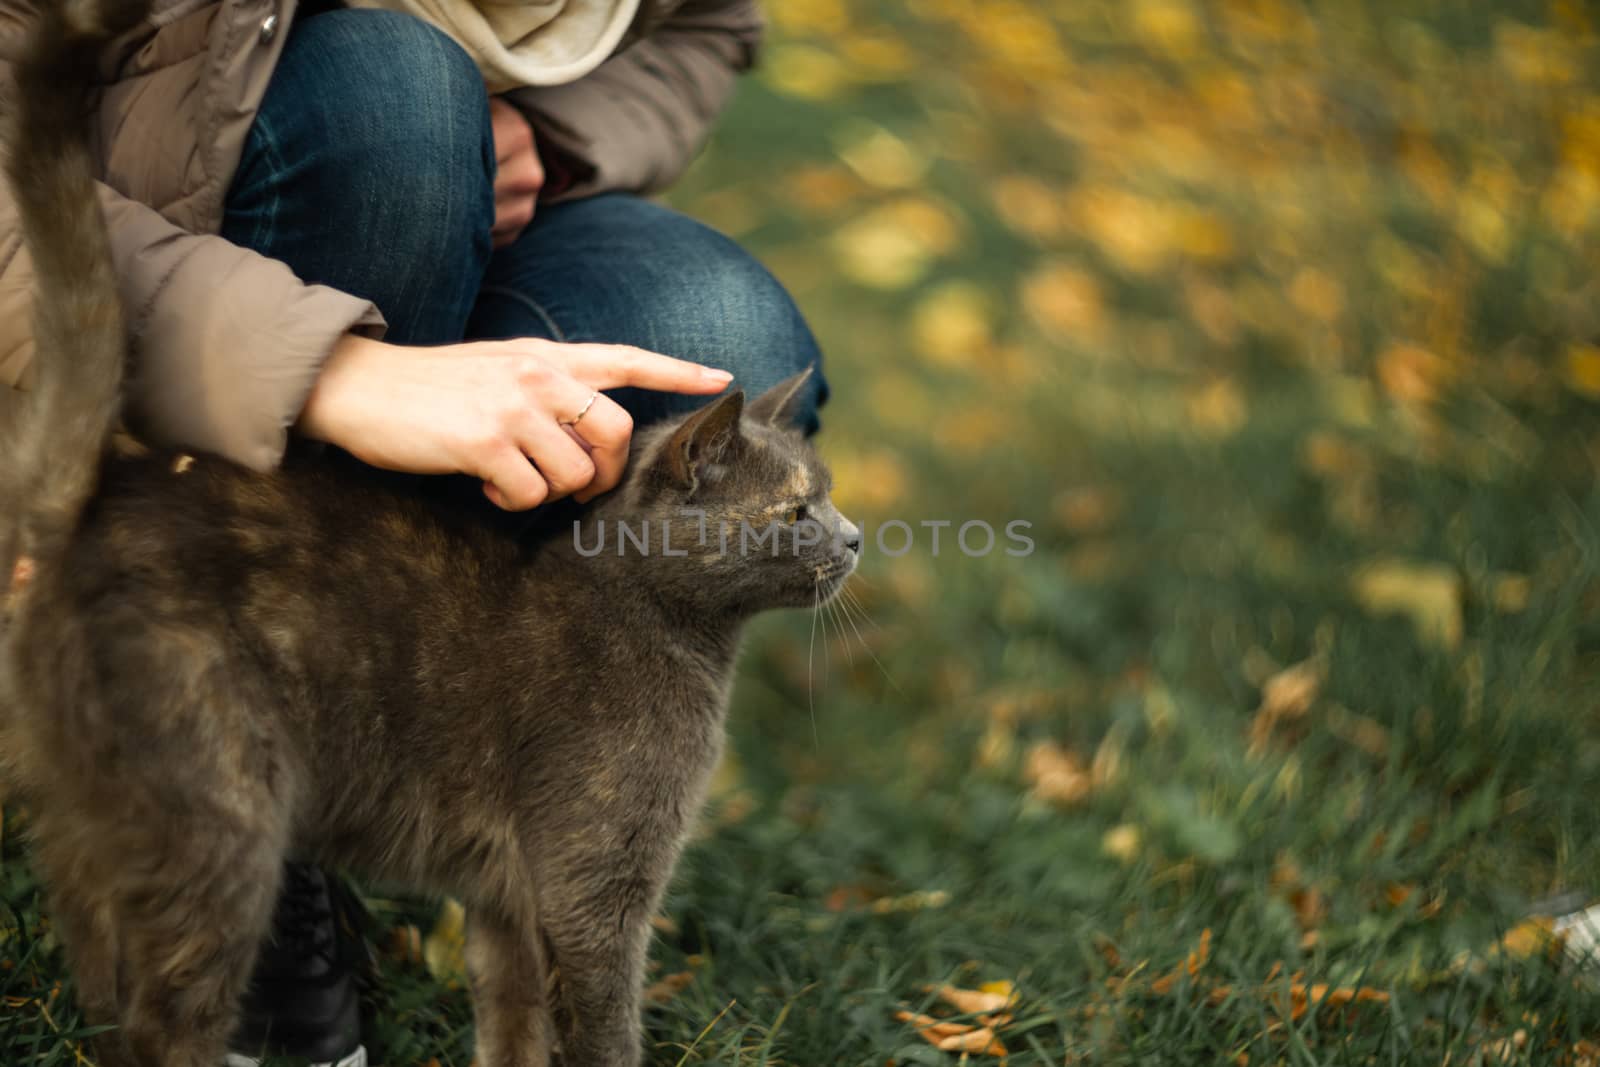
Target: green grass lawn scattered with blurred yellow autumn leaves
x=1230 y=308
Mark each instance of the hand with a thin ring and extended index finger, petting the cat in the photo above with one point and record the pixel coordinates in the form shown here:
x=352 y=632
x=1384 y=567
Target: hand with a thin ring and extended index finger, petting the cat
x=487 y=409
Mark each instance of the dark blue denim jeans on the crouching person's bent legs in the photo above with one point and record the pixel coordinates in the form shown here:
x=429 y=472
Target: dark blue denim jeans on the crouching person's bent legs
x=370 y=169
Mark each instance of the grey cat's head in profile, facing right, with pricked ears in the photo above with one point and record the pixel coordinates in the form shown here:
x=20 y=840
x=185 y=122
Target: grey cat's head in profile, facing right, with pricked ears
x=730 y=508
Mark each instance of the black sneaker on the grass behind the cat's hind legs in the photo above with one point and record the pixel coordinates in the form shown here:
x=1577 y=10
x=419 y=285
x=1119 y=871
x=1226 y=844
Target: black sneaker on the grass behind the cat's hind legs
x=303 y=999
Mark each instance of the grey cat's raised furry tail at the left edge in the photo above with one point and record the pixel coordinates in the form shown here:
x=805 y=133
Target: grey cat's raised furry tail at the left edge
x=52 y=460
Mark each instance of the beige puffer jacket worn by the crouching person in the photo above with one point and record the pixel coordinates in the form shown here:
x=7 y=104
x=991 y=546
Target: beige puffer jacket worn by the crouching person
x=226 y=343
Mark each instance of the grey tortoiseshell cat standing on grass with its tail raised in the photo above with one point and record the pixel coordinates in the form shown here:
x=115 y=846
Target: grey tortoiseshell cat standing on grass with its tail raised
x=214 y=669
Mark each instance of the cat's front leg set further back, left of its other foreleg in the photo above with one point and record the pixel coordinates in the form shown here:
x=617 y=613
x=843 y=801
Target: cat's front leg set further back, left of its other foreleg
x=510 y=993
